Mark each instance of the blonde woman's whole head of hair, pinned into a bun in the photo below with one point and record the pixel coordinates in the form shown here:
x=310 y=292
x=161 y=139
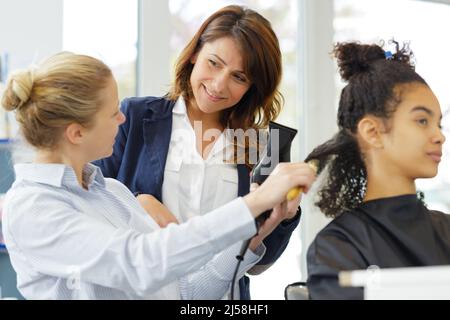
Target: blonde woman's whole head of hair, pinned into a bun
x=63 y=89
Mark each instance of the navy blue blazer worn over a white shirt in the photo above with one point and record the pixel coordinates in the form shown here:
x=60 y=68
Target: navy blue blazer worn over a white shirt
x=139 y=158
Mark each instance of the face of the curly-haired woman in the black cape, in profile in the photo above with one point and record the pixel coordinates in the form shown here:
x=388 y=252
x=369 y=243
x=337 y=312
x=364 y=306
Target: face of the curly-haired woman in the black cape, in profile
x=413 y=145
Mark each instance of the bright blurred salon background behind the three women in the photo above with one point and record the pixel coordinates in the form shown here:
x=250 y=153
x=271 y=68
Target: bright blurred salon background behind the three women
x=140 y=40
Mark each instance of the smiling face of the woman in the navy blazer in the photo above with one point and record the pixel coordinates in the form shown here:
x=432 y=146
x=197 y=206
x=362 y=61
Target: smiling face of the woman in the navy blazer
x=218 y=80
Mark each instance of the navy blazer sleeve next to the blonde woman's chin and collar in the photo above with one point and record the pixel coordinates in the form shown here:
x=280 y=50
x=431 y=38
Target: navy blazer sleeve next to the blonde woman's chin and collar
x=110 y=166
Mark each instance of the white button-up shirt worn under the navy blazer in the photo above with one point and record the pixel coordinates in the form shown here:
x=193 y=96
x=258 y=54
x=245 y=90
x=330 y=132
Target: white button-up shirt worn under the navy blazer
x=194 y=186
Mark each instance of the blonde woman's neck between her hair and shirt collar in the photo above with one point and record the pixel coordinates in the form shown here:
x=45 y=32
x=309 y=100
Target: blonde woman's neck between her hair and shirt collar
x=68 y=159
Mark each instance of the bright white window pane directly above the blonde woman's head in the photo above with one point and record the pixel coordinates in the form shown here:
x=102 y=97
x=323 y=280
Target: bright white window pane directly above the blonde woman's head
x=108 y=30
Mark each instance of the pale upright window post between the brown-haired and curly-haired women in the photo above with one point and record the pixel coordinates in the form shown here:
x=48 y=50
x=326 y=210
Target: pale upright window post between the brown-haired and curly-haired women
x=317 y=98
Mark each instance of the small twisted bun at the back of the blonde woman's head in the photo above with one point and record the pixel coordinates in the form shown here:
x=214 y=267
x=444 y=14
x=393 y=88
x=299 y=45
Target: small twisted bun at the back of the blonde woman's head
x=18 y=91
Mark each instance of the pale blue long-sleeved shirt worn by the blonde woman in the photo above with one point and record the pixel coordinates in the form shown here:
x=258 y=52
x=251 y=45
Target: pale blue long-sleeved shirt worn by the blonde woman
x=66 y=242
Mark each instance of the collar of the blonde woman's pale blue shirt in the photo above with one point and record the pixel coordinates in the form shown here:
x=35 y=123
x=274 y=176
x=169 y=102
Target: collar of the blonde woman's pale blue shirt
x=56 y=174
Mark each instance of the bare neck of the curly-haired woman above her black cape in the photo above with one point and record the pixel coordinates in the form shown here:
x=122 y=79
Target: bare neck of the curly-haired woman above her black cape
x=382 y=183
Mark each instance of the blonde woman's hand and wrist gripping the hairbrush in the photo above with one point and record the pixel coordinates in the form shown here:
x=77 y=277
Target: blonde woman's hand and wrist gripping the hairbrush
x=273 y=191
